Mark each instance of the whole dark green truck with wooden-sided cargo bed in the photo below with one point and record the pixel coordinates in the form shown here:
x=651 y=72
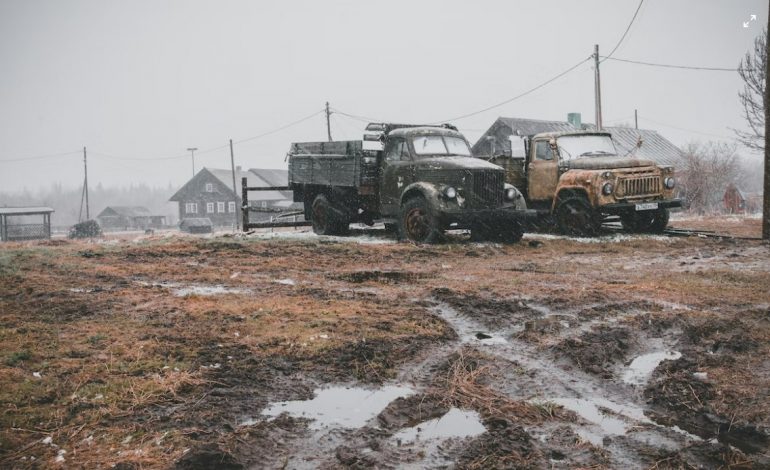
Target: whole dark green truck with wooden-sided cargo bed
x=418 y=180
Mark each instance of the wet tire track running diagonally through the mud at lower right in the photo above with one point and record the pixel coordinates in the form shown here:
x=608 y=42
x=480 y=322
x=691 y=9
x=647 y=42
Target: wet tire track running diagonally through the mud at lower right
x=610 y=414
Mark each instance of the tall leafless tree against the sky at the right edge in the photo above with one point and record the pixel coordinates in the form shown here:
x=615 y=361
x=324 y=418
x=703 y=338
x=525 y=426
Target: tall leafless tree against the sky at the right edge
x=752 y=97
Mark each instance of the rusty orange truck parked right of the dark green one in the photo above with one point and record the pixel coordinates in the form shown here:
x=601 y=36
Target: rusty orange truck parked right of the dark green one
x=579 y=179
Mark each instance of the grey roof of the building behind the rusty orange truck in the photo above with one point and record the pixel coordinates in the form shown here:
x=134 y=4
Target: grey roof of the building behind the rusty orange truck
x=654 y=146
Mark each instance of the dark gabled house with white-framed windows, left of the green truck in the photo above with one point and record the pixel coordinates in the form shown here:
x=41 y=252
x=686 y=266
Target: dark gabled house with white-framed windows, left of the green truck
x=209 y=194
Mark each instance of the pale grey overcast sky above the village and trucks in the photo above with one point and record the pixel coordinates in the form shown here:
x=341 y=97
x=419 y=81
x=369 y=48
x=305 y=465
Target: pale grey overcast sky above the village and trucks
x=138 y=82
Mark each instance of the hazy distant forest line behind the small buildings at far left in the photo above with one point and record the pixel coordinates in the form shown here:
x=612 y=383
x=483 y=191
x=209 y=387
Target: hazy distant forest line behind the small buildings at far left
x=67 y=201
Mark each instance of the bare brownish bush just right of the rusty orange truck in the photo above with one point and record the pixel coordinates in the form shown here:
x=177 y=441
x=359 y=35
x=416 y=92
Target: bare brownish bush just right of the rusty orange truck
x=707 y=170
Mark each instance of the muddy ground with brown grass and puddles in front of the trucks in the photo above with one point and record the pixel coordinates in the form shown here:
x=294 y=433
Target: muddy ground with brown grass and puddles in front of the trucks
x=295 y=351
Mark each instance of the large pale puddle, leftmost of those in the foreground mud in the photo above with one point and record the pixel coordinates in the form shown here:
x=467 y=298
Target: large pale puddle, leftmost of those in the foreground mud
x=340 y=407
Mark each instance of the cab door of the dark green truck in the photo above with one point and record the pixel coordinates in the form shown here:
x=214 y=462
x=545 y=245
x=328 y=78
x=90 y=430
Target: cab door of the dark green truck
x=396 y=174
